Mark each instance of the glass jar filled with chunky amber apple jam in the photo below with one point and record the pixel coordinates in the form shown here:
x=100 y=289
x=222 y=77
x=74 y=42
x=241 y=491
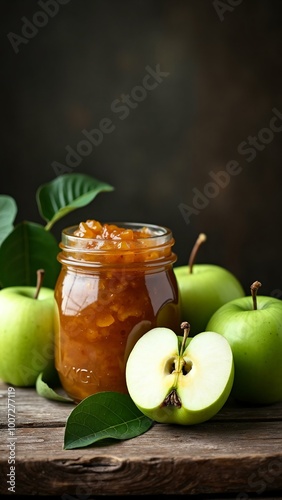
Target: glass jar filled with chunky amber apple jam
x=116 y=283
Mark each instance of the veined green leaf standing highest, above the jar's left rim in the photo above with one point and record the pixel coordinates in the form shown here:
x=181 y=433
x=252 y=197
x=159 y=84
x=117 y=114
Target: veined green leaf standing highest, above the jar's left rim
x=67 y=193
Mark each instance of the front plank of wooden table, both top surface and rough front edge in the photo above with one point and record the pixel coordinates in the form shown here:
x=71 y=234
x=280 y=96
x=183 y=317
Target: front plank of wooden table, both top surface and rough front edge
x=213 y=457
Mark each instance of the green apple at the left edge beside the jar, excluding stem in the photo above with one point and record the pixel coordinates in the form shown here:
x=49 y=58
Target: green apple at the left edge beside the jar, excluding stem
x=26 y=334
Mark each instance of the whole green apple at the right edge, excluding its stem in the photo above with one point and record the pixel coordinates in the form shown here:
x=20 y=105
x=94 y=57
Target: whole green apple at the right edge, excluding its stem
x=255 y=337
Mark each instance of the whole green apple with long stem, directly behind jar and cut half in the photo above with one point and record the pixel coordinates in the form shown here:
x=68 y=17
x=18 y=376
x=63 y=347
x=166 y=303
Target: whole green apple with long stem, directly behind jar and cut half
x=203 y=288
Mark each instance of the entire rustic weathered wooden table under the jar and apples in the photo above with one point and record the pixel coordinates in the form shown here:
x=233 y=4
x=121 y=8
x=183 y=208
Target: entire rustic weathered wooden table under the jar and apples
x=237 y=454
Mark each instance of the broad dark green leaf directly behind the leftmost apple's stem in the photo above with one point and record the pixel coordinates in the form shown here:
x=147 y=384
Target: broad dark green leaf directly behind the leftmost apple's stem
x=26 y=249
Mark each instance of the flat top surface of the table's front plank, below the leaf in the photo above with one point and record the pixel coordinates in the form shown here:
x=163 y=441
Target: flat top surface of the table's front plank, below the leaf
x=208 y=440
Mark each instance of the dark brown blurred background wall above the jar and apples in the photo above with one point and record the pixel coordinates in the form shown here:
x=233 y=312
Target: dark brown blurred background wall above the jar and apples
x=224 y=80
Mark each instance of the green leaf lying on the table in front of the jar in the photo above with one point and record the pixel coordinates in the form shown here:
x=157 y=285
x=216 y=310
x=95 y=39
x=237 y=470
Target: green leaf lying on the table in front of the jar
x=102 y=416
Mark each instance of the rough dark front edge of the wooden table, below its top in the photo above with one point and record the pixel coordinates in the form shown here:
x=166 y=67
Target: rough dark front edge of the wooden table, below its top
x=114 y=476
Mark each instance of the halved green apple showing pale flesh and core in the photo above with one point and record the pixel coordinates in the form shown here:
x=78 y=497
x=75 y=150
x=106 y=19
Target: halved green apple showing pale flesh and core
x=176 y=382
